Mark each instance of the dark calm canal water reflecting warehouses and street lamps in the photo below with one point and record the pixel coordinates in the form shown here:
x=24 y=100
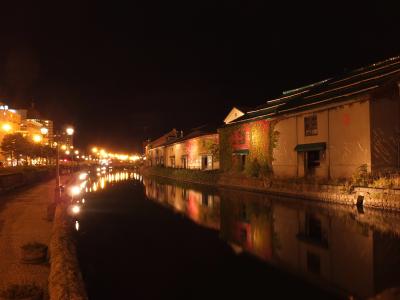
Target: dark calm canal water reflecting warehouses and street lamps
x=150 y=238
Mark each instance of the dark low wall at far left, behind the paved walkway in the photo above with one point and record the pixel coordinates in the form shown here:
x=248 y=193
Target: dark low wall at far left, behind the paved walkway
x=24 y=177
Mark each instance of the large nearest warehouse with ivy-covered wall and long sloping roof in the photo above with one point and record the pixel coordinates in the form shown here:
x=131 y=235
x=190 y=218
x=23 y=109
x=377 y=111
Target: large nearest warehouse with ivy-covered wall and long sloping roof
x=327 y=129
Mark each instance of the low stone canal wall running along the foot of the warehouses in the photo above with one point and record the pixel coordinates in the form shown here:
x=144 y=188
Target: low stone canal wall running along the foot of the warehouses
x=388 y=199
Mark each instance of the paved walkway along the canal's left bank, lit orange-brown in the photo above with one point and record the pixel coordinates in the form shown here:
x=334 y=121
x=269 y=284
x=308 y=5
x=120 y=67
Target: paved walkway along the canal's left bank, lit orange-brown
x=23 y=220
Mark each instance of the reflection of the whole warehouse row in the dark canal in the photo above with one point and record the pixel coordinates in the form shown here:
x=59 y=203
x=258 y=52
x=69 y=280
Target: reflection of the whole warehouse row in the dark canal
x=331 y=246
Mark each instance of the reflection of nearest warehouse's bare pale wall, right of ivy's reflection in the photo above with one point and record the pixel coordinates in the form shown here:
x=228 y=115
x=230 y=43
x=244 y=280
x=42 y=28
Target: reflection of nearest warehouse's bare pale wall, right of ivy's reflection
x=335 y=251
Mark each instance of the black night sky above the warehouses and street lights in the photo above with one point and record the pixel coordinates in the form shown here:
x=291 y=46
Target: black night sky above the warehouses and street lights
x=124 y=72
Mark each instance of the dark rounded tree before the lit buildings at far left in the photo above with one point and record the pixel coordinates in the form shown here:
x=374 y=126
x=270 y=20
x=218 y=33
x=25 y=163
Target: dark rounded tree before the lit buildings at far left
x=14 y=146
